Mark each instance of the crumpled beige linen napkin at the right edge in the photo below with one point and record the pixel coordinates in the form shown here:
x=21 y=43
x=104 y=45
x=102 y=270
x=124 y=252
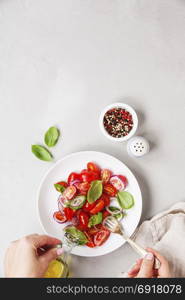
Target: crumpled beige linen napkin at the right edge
x=166 y=233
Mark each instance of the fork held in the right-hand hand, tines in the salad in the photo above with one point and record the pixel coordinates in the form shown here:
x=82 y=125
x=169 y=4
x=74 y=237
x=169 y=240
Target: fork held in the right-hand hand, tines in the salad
x=112 y=224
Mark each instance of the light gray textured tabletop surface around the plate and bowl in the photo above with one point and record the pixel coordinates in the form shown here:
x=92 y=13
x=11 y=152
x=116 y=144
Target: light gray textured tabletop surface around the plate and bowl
x=61 y=62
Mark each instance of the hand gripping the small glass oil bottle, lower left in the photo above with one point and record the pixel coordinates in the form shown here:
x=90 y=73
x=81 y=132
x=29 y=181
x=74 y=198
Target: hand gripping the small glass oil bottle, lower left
x=30 y=256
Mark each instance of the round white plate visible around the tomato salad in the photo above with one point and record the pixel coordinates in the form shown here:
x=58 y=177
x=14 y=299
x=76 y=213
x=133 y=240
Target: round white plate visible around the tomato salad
x=75 y=162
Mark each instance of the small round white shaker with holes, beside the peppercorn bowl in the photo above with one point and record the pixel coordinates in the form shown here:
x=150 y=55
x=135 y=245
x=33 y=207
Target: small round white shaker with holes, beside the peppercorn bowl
x=138 y=146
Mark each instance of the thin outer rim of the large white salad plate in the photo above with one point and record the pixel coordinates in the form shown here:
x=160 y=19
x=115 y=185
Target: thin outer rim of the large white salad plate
x=58 y=162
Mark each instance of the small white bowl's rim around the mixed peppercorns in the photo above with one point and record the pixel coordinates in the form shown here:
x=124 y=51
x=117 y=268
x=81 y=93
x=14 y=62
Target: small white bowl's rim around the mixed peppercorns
x=130 y=110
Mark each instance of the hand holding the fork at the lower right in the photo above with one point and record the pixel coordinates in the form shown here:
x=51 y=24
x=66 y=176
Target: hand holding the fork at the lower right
x=144 y=268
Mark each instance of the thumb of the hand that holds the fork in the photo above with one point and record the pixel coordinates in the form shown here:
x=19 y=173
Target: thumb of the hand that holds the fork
x=146 y=270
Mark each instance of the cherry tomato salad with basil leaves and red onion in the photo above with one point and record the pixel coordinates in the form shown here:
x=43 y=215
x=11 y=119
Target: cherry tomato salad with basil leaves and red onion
x=85 y=201
